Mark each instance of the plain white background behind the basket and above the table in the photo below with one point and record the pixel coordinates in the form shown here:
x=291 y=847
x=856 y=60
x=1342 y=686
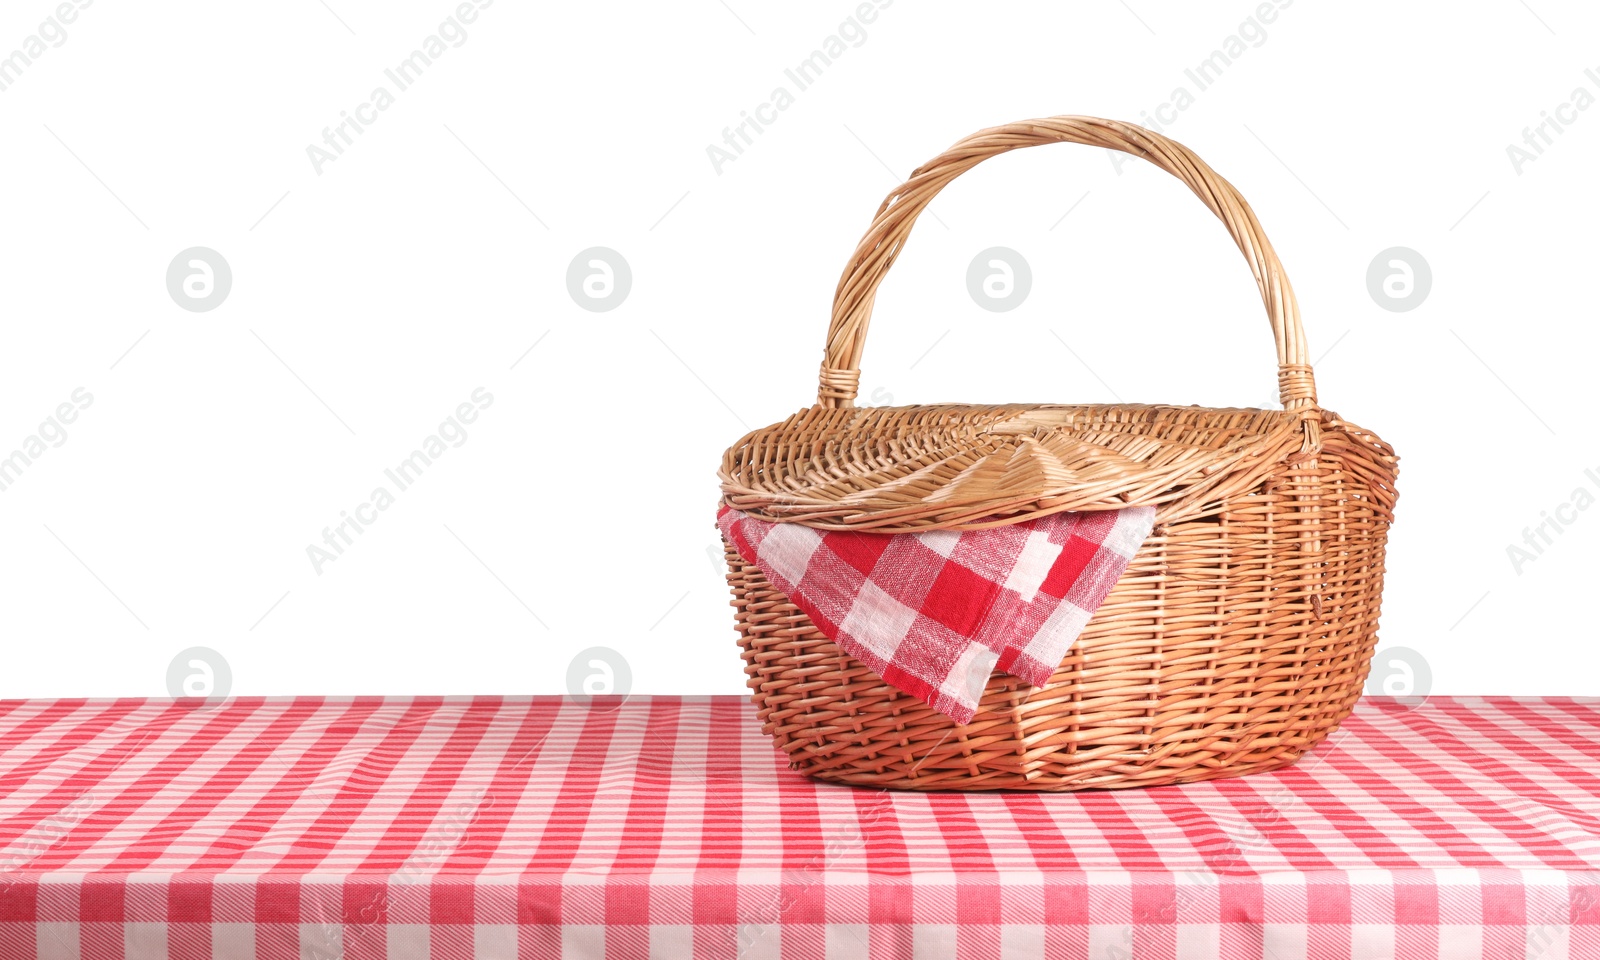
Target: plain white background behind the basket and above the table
x=372 y=298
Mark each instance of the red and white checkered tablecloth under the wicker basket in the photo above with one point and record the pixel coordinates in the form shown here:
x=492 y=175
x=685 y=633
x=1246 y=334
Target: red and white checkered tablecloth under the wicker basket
x=497 y=828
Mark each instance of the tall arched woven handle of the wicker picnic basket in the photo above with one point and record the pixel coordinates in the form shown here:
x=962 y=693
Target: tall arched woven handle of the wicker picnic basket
x=858 y=287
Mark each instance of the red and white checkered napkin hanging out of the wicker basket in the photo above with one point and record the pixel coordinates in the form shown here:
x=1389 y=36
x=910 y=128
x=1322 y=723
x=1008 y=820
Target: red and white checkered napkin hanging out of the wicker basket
x=935 y=614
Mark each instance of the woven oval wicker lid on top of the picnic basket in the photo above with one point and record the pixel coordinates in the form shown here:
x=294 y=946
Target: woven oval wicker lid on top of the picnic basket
x=953 y=466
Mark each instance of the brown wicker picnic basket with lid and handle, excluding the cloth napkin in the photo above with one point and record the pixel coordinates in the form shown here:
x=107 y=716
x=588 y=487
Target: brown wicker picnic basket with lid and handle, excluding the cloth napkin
x=1239 y=636
